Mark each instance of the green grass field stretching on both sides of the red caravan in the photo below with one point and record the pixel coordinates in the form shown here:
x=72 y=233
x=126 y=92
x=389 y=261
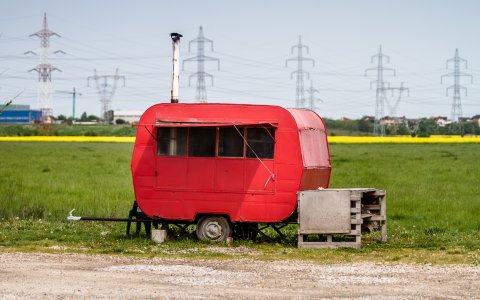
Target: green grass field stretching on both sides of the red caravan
x=432 y=195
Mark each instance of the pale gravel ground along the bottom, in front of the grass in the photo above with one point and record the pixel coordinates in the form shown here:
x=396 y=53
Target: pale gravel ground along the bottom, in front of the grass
x=59 y=276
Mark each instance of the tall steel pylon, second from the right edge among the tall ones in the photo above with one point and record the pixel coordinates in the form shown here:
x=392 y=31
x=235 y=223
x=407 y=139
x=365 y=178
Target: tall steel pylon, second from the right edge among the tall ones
x=382 y=87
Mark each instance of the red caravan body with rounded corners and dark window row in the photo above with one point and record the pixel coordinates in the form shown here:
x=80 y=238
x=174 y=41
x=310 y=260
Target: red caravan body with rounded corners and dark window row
x=246 y=162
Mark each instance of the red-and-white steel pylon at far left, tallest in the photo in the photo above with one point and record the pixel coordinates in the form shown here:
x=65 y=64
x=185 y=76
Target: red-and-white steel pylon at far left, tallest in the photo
x=44 y=70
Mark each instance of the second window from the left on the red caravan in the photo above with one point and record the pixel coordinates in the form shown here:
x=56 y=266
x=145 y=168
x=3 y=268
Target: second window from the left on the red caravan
x=202 y=141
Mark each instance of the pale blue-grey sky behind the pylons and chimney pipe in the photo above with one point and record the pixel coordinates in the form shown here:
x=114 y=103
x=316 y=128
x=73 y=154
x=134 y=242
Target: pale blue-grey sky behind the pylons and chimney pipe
x=252 y=40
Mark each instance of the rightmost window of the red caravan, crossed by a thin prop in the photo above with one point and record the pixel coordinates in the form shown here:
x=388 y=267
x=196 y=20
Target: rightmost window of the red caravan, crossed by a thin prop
x=261 y=142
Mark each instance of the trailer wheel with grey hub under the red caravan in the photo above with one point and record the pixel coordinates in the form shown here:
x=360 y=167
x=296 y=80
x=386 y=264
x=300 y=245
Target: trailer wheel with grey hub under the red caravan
x=213 y=228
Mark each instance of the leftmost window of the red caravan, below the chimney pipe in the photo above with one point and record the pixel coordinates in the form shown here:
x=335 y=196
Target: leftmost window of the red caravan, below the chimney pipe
x=172 y=141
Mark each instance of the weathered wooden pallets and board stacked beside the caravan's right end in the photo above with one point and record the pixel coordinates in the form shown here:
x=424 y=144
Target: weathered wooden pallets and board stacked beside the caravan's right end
x=336 y=217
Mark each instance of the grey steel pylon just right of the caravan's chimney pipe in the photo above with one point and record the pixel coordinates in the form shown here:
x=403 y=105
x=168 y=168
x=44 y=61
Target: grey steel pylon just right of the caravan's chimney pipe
x=200 y=58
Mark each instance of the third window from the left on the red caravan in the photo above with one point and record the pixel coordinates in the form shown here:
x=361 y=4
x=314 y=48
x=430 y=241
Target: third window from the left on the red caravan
x=230 y=142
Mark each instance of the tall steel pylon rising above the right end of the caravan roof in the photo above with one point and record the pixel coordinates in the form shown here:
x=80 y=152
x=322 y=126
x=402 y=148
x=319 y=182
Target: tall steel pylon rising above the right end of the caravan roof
x=300 y=91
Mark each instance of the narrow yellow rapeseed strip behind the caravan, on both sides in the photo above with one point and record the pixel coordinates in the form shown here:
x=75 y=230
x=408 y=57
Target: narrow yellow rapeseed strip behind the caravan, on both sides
x=331 y=139
